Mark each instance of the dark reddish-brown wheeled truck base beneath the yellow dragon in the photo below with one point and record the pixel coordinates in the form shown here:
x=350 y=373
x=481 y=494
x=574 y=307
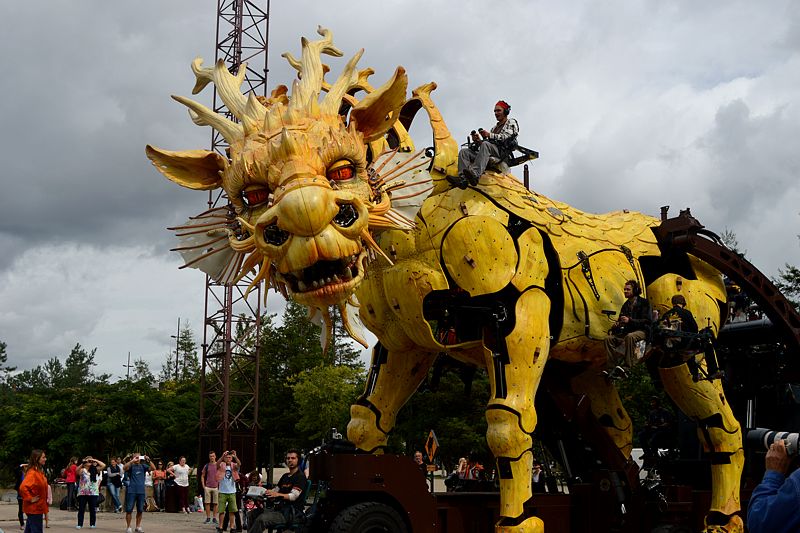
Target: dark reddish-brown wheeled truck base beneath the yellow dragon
x=389 y=493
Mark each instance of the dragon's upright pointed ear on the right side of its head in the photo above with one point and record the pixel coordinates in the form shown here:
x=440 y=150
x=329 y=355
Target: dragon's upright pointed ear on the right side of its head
x=379 y=110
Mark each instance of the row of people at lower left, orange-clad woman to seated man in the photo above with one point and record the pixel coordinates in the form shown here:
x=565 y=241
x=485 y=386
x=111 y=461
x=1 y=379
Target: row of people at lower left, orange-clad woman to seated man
x=138 y=484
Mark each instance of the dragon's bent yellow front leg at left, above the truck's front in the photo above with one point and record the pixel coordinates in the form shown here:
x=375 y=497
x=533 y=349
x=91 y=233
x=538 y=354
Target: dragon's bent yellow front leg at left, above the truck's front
x=393 y=377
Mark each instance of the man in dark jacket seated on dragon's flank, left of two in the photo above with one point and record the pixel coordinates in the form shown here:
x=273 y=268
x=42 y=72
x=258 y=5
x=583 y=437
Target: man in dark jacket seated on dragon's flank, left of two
x=635 y=317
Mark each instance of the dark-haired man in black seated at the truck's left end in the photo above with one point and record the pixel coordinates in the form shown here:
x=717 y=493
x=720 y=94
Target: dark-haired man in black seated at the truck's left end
x=287 y=497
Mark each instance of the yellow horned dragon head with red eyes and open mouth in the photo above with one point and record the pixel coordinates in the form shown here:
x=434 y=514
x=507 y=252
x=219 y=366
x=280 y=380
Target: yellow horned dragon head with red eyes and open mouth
x=303 y=177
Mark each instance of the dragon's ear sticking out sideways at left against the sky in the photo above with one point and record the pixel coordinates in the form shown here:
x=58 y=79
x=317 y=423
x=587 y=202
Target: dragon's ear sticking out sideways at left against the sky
x=193 y=169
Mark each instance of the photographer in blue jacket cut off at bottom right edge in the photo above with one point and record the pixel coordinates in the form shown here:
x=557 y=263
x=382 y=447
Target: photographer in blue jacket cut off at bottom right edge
x=774 y=505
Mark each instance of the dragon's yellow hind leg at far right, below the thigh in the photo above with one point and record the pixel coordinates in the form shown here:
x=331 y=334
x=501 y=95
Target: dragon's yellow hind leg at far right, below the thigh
x=704 y=401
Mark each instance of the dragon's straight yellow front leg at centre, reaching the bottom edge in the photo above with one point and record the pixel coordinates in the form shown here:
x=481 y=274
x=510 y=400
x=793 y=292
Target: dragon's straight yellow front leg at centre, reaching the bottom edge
x=515 y=367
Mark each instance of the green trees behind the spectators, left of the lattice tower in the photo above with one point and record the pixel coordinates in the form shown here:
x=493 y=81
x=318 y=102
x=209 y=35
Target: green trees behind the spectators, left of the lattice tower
x=68 y=410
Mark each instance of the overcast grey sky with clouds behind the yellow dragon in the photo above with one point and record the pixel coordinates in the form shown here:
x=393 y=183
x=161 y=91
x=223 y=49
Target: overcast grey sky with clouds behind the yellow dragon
x=632 y=104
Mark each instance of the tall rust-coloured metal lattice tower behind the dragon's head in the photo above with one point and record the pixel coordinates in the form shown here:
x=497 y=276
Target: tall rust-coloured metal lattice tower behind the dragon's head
x=229 y=382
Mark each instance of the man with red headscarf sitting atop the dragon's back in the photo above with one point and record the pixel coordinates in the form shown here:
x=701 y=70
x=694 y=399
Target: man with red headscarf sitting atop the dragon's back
x=495 y=143
